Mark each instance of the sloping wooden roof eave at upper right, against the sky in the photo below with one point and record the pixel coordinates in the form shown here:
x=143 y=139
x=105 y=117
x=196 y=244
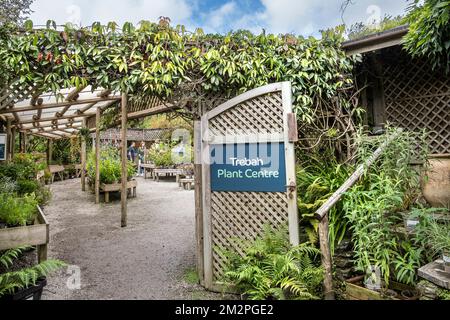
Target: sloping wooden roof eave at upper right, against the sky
x=376 y=41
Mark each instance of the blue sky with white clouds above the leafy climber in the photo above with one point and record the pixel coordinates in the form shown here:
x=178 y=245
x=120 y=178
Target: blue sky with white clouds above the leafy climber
x=302 y=17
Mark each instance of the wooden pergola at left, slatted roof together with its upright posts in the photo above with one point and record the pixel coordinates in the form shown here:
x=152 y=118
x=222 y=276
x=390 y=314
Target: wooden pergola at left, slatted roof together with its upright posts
x=62 y=116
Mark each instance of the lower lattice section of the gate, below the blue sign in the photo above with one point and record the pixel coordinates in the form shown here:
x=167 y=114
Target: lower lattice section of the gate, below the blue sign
x=242 y=216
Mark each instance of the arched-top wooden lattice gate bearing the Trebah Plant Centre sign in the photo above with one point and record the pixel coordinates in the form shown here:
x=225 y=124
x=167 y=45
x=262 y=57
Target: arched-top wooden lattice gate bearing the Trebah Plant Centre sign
x=259 y=117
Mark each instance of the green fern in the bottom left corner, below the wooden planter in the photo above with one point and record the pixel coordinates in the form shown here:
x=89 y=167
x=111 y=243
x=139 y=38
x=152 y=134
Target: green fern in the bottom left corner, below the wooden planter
x=27 y=282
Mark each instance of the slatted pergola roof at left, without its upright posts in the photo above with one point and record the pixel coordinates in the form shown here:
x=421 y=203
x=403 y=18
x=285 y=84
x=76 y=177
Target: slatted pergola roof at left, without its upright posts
x=62 y=116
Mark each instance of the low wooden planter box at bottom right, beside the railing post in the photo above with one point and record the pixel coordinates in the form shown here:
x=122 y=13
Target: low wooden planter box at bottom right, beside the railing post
x=355 y=290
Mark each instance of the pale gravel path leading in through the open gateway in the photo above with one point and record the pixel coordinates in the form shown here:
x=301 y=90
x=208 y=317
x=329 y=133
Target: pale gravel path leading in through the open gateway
x=150 y=259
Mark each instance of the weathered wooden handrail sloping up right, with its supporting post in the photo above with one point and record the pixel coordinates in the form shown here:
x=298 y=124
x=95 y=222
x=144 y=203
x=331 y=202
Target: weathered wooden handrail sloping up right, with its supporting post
x=322 y=213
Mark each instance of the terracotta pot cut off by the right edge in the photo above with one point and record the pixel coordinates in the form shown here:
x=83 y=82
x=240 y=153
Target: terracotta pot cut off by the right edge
x=437 y=189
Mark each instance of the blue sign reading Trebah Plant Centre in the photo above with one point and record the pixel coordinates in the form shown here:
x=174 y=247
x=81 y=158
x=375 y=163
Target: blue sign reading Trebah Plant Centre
x=250 y=167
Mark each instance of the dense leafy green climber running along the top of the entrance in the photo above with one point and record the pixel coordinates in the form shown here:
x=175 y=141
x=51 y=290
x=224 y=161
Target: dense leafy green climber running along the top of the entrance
x=157 y=59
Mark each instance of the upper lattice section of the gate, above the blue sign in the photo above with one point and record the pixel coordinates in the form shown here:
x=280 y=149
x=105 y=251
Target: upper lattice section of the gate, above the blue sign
x=260 y=115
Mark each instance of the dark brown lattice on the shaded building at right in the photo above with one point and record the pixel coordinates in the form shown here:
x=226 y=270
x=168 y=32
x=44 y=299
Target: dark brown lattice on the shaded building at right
x=417 y=98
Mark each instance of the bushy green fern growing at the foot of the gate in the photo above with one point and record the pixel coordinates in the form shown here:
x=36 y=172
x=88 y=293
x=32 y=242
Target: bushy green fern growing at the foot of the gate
x=270 y=268
